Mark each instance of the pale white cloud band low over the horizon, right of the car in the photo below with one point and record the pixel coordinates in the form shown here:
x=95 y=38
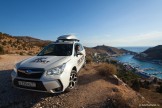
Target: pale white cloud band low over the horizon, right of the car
x=147 y=39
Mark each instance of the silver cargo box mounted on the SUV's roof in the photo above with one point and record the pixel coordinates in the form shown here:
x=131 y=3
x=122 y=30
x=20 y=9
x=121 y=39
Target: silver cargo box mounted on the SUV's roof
x=67 y=38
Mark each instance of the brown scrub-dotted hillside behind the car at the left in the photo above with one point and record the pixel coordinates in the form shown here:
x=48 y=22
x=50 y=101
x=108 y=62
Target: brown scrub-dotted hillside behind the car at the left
x=20 y=44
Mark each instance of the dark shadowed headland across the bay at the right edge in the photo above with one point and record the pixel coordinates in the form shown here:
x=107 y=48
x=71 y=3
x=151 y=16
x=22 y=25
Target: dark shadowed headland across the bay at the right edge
x=154 y=53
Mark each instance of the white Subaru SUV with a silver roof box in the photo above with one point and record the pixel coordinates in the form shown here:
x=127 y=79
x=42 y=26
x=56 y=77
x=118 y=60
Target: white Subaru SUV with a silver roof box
x=54 y=69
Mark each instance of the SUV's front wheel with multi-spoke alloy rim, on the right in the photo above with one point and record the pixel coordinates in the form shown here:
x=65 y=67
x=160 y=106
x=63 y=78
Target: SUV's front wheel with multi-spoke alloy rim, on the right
x=73 y=80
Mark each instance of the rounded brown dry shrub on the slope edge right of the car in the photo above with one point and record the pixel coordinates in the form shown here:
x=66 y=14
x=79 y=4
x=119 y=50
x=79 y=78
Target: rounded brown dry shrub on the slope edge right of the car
x=106 y=70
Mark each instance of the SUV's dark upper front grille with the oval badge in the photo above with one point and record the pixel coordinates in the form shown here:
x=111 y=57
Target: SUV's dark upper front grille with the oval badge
x=34 y=73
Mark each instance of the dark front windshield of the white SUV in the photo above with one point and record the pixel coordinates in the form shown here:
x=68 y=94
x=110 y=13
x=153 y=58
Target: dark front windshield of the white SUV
x=57 y=50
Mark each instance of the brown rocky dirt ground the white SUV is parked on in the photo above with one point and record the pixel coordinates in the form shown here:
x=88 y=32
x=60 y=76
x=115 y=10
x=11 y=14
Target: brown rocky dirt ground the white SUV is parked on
x=93 y=91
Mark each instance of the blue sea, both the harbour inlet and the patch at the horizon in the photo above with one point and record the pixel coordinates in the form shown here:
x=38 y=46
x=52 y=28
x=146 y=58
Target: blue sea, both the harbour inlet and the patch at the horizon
x=144 y=65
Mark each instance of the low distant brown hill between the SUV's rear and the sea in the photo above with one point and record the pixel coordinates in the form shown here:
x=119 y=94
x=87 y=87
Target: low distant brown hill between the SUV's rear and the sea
x=107 y=49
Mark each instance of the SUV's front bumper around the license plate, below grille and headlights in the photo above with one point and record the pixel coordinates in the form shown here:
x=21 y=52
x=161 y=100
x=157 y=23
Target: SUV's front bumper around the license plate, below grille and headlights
x=51 y=86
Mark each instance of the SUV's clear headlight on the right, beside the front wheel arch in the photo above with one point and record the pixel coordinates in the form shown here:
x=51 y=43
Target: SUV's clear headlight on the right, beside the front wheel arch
x=56 y=71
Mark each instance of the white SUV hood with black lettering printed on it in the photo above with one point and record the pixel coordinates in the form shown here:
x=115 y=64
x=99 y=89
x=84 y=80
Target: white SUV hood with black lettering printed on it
x=45 y=62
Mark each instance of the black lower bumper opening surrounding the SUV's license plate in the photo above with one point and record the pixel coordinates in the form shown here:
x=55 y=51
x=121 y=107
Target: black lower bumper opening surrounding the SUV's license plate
x=39 y=85
